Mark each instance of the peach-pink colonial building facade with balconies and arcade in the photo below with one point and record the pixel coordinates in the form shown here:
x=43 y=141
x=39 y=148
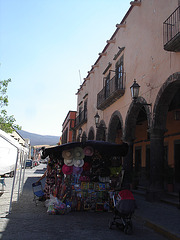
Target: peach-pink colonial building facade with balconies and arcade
x=145 y=50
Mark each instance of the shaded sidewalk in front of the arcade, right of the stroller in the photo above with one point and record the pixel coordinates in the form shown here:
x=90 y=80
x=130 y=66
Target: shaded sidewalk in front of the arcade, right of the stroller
x=162 y=218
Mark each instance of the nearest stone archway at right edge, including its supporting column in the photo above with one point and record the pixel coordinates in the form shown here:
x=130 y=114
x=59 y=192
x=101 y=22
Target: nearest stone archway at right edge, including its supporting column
x=163 y=100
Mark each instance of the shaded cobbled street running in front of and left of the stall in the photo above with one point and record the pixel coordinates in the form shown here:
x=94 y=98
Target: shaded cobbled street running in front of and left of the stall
x=30 y=222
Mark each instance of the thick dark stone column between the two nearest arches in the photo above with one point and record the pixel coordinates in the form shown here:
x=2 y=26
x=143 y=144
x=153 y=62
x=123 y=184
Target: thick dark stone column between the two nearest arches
x=156 y=165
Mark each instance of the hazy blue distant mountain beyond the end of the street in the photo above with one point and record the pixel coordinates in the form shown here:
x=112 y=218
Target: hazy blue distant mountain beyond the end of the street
x=36 y=139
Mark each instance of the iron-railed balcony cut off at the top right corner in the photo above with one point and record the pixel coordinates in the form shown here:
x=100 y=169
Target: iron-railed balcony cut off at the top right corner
x=171 y=32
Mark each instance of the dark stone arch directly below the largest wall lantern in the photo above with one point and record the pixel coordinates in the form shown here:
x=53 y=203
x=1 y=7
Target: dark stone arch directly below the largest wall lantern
x=132 y=115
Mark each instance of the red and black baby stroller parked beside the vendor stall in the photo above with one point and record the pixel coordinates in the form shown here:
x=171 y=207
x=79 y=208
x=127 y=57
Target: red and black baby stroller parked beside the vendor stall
x=124 y=207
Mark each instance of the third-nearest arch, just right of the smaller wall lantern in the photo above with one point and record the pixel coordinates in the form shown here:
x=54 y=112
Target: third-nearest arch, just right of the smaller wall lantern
x=115 y=124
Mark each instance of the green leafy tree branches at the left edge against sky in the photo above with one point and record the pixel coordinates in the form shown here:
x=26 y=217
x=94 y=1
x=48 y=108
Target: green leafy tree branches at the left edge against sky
x=7 y=123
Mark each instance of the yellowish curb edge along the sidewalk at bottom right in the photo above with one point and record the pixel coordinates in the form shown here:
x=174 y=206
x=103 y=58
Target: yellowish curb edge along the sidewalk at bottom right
x=159 y=229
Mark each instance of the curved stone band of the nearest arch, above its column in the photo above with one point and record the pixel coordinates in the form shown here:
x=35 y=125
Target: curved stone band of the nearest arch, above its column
x=163 y=100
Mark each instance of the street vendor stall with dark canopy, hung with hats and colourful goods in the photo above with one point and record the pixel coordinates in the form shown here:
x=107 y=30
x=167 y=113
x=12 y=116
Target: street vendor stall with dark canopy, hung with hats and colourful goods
x=86 y=173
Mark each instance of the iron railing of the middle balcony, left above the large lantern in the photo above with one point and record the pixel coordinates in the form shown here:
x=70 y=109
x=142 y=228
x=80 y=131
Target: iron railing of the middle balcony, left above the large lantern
x=112 y=91
